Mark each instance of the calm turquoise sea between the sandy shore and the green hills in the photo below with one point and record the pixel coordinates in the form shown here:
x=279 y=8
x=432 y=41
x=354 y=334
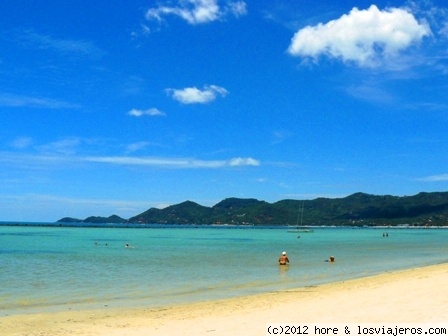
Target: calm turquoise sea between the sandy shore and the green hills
x=60 y=268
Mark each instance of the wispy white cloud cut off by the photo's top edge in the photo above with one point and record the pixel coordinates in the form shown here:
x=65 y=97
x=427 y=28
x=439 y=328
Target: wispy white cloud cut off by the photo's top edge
x=199 y=11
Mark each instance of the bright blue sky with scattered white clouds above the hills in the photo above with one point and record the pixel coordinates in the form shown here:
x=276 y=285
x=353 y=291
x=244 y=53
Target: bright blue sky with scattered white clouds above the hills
x=113 y=107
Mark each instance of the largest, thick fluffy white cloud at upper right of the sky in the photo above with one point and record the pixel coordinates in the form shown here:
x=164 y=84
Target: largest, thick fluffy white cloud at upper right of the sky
x=365 y=37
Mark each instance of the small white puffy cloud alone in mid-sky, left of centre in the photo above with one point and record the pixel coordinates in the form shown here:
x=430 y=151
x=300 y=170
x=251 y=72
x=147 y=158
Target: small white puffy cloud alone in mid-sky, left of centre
x=193 y=95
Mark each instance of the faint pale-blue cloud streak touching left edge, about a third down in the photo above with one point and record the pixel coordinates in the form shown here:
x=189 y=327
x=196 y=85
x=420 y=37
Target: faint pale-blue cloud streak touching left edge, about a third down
x=12 y=100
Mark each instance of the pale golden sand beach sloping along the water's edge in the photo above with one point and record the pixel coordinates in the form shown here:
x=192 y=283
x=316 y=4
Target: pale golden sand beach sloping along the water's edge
x=410 y=296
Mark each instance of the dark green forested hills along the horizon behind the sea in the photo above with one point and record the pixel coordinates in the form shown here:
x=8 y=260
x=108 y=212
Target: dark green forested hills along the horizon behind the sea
x=357 y=209
